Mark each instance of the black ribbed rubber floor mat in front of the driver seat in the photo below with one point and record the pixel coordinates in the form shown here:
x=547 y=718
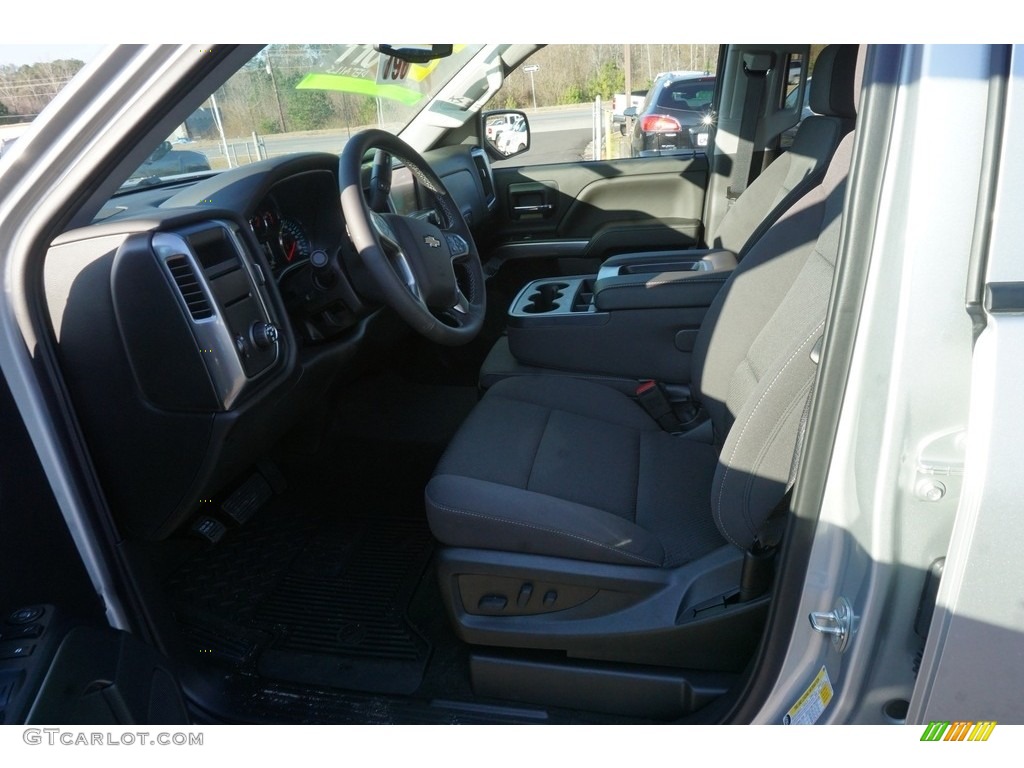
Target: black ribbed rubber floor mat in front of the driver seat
x=322 y=602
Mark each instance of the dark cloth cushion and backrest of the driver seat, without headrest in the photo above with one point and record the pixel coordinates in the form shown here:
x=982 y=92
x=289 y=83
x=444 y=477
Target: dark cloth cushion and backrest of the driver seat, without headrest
x=562 y=467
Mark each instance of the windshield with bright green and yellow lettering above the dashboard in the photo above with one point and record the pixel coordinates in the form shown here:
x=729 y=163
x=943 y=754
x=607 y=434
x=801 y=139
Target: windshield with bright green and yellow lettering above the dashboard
x=300 y=99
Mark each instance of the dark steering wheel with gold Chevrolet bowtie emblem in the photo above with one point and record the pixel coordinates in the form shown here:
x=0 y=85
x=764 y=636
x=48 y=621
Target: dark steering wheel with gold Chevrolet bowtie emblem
x=415 y=262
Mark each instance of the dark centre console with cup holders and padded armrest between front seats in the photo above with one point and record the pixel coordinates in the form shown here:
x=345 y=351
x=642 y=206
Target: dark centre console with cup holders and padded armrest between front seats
x=637 y=319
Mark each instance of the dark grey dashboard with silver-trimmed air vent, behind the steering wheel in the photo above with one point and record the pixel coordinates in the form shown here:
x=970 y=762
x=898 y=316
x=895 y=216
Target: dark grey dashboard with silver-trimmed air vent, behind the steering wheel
x=195 y=325
